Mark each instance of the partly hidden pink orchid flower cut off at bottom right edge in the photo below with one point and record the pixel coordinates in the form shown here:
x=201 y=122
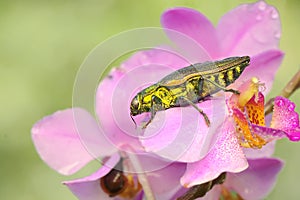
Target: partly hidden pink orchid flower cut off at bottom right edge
x=253 y=183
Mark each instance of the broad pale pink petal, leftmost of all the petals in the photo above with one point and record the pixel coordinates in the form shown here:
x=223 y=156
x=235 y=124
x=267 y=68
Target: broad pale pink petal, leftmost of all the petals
x=62 y=146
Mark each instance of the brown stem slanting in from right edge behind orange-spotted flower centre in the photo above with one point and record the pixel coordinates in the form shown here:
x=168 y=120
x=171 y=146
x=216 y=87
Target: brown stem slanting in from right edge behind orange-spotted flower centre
x=286 y=92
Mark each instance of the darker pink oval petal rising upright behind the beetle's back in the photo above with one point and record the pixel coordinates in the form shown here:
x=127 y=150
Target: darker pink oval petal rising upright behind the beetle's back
x=194 y=25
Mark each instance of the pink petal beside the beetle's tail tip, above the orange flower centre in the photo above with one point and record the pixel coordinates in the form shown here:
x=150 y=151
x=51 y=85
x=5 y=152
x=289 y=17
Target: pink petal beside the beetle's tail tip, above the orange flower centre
x=263 y=66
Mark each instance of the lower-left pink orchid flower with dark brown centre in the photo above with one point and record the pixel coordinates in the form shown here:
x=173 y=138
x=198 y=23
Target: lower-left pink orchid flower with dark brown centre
x=60 y=145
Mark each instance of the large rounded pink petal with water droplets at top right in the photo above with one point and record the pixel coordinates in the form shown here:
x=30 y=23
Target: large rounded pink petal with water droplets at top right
x=249 y=29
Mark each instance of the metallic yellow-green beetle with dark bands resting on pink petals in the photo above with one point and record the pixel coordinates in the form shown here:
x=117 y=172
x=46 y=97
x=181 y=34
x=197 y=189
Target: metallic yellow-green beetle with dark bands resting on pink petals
x=188 y=86
